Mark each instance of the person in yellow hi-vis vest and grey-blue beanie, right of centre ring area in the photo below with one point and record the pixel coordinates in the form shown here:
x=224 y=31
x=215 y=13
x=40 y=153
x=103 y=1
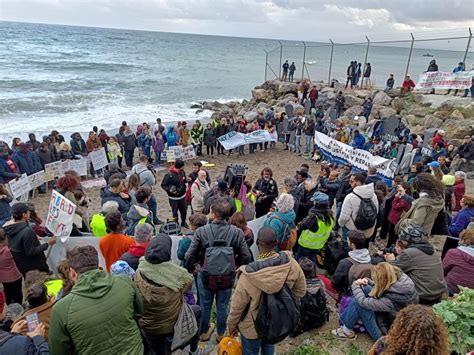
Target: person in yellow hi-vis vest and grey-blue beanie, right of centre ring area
x=315 y=228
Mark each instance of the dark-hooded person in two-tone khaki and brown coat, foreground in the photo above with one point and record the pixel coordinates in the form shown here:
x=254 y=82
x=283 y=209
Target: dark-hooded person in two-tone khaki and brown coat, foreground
x=162 y=284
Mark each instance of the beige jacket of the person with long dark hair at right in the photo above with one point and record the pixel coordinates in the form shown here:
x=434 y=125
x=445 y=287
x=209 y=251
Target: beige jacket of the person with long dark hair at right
x=423 y=211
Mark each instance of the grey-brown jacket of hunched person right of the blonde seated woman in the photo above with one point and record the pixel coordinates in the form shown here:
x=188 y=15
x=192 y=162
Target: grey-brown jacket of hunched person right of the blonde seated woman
x=420 y=262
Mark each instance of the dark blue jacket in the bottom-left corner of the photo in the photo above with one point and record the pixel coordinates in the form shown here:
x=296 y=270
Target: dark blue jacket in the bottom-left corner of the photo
x=23 y=345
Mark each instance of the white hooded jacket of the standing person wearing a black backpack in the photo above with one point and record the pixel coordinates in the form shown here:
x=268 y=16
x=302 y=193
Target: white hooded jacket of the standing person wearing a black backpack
x=351 y=204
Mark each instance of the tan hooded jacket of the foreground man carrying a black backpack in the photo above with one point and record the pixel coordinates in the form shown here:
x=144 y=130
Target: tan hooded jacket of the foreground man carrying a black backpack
x=269 y=276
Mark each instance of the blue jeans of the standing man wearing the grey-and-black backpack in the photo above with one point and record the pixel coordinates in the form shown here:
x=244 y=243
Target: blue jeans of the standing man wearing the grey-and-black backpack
x=206 y=299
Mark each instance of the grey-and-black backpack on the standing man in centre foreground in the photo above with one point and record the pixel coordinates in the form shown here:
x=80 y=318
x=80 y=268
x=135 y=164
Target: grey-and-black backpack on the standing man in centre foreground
x=218 y=268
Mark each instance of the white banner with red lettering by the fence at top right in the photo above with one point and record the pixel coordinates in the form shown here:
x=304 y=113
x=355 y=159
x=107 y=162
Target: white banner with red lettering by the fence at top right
x=445 y=80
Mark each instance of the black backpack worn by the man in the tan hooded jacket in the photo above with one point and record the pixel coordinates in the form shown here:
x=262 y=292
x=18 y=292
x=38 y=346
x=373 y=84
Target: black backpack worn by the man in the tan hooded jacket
x=277 y=316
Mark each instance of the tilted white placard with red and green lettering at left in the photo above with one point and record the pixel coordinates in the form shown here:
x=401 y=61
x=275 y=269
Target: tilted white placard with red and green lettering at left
x=60 y=216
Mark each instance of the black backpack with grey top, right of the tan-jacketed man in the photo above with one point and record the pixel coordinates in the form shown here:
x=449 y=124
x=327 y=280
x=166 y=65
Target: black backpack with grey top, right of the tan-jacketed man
x=313 y=309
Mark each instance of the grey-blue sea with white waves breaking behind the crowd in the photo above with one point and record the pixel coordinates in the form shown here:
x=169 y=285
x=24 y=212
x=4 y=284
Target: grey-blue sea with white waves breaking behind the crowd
x=70 y=78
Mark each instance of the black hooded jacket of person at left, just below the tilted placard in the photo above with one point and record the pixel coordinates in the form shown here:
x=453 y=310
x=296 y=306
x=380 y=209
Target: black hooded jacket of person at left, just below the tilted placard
x=25 y=247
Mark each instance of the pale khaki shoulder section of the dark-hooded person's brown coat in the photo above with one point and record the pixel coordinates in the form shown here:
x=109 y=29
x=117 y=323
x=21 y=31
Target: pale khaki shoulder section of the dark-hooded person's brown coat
x=166 y=274
